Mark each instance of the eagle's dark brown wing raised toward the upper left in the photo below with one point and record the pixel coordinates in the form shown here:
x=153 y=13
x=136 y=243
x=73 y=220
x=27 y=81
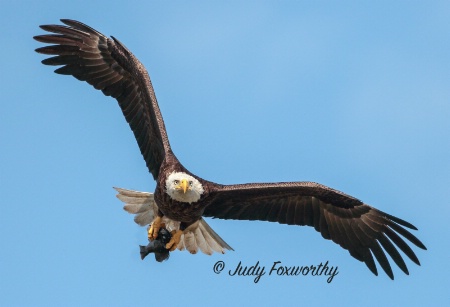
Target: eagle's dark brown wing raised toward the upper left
x=110 y=67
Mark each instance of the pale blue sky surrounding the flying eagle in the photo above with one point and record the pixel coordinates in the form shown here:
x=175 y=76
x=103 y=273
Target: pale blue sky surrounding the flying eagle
x=352 y=94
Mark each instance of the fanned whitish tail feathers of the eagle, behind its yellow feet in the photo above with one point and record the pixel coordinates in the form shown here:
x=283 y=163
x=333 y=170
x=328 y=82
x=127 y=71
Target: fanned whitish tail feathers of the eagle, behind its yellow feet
x=197 y=236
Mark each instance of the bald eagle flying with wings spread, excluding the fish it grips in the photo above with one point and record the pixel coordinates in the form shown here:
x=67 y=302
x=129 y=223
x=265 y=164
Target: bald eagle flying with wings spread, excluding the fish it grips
x=181 y=199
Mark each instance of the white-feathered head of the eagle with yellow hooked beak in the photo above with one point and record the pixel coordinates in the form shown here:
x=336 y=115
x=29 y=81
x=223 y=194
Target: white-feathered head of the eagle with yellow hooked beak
x=183 y=187
